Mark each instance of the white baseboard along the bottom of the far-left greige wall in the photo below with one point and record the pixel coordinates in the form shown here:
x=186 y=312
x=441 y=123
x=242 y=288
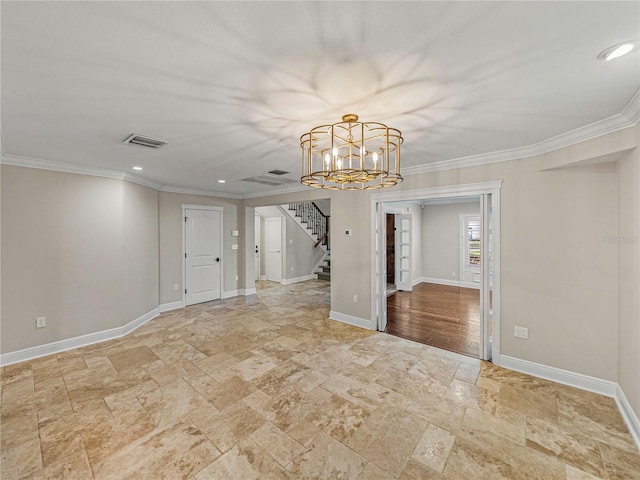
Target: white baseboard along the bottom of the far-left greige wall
x=76 y=342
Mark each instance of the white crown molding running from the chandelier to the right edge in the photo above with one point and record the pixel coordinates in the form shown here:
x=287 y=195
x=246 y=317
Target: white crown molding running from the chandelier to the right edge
x=629 y=117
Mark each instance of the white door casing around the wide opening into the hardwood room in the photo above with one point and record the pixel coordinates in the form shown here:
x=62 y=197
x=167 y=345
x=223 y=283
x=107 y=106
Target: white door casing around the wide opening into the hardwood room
x=489 y=291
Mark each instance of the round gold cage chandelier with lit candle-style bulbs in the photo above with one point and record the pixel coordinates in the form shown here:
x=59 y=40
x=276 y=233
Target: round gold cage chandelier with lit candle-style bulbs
x=351 y=155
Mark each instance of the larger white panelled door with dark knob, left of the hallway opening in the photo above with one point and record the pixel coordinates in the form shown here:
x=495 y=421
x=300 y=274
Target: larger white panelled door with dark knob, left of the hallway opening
x=203 y=255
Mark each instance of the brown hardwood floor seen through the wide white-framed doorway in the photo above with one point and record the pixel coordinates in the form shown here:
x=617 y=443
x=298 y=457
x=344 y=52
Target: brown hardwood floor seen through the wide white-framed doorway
x=438 y=315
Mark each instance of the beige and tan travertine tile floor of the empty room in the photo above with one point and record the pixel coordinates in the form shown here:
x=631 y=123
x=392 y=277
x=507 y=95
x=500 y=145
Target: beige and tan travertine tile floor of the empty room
x=266 y=387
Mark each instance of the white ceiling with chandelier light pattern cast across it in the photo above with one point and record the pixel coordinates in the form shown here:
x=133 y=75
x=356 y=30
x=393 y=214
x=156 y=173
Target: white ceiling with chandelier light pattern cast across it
x=231 y=86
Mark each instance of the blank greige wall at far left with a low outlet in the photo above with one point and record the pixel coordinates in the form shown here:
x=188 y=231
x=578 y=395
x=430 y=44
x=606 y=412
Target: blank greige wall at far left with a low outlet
x=78 y=250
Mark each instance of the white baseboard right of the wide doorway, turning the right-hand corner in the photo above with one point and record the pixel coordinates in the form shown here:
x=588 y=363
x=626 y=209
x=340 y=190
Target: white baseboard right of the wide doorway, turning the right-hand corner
x=584 y=382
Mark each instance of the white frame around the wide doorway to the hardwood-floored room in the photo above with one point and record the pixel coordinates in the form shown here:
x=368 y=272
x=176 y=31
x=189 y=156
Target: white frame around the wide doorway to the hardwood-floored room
x=485 y=190
